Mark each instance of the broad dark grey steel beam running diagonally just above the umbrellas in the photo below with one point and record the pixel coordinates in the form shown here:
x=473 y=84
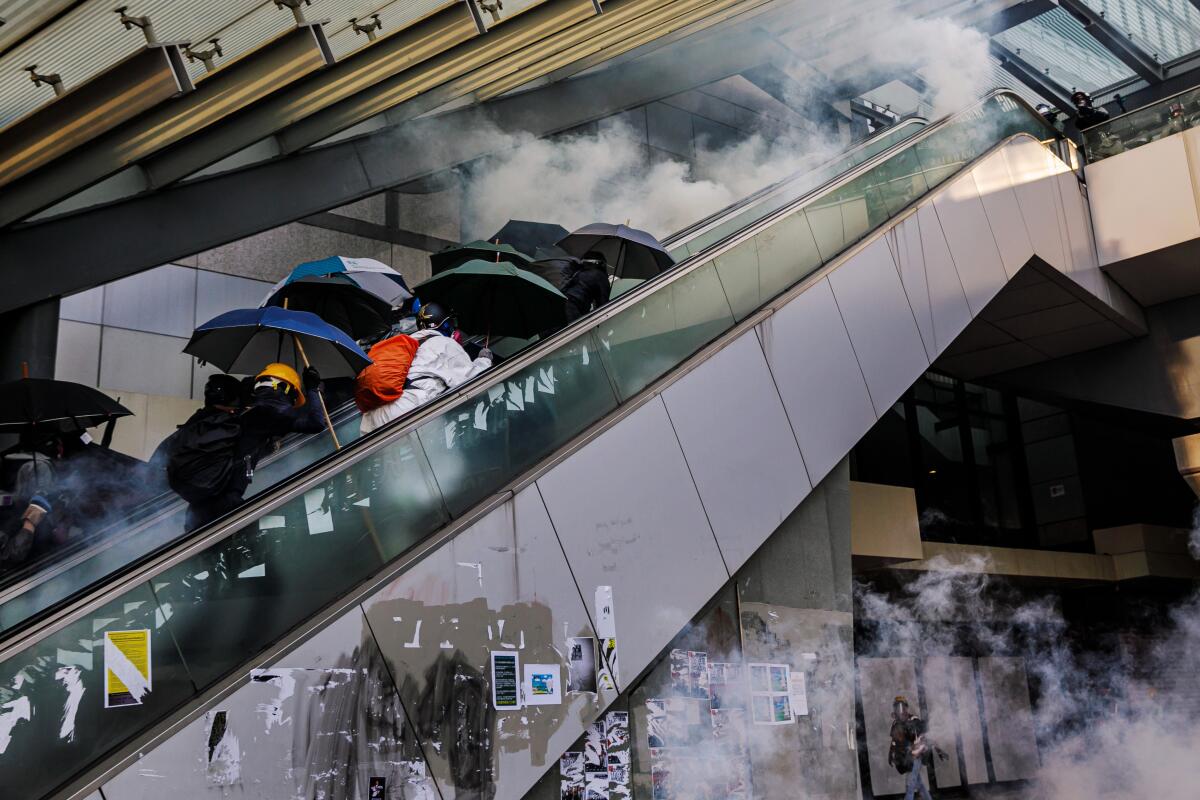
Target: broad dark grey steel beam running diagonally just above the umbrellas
x=85 y=250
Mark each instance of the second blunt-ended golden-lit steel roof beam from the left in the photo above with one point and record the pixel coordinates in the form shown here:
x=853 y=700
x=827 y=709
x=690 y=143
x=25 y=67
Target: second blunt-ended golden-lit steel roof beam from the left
x=225 y=92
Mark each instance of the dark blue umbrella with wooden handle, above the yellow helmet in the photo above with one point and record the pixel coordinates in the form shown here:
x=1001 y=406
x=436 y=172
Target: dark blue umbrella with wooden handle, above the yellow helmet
x=247 y=340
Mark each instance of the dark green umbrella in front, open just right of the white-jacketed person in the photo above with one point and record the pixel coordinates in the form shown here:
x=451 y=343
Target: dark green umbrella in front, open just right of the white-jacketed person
x=497 y=299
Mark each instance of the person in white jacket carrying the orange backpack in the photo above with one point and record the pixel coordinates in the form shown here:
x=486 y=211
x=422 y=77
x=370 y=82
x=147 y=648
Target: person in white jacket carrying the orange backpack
x=440 y=364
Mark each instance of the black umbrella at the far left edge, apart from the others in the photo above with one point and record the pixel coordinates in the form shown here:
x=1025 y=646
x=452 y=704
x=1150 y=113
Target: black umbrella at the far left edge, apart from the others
x=55 y=406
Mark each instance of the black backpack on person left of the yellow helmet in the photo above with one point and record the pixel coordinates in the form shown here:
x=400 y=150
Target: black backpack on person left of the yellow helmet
x=202 y=456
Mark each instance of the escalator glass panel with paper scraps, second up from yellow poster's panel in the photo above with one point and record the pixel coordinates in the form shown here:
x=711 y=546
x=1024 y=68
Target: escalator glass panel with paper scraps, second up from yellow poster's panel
x=479 y=447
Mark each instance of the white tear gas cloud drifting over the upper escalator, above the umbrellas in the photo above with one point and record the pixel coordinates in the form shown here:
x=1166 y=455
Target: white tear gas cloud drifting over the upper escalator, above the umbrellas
x=610 y=176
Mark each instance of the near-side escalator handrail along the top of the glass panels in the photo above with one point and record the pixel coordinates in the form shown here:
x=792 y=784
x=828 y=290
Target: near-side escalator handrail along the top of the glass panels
x=153 y=564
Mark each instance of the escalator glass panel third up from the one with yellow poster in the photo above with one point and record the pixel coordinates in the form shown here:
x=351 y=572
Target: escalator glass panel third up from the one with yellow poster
x=651 y=338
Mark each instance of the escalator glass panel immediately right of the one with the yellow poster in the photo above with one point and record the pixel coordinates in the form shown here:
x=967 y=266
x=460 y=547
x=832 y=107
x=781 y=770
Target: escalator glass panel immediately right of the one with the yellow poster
x=251 y=588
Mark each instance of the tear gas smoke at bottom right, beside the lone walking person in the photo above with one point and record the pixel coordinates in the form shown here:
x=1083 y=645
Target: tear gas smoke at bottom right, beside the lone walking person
x=1111 y=724
